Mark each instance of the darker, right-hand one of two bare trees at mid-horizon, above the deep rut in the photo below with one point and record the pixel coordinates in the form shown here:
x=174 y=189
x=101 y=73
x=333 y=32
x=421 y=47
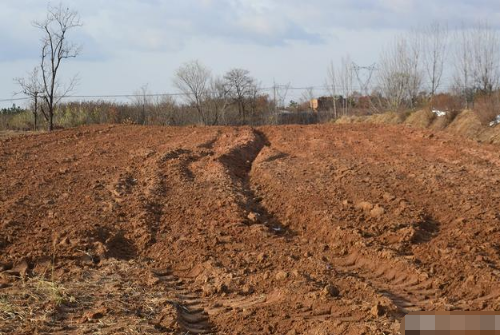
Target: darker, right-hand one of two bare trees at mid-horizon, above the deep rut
x=242 y=87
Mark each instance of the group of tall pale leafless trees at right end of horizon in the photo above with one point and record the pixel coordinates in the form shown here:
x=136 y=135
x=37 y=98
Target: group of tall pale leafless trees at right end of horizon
x=410 y=71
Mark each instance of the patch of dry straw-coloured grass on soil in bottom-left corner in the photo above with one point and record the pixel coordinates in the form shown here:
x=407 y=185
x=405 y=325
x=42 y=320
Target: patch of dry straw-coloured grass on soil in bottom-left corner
x=96 y=300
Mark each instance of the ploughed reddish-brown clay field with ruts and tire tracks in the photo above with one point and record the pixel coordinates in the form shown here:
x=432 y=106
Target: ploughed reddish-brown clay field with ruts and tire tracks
x=331 y=229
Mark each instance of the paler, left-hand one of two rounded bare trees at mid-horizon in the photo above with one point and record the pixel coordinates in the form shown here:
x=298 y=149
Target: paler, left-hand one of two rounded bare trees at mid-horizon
x=193 y=80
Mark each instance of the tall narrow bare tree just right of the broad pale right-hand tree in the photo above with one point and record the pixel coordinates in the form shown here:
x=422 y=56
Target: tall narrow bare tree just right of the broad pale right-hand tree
x=435 y=47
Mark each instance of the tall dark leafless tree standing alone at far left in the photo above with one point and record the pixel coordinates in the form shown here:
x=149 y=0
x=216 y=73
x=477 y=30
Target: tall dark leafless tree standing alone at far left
x=55 y=48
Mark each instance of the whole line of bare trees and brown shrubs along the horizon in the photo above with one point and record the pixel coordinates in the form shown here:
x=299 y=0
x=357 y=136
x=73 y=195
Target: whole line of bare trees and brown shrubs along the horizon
x=410 y=73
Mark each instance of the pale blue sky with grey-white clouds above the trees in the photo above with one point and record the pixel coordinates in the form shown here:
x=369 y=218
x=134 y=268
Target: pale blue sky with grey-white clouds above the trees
x=129 y=43
